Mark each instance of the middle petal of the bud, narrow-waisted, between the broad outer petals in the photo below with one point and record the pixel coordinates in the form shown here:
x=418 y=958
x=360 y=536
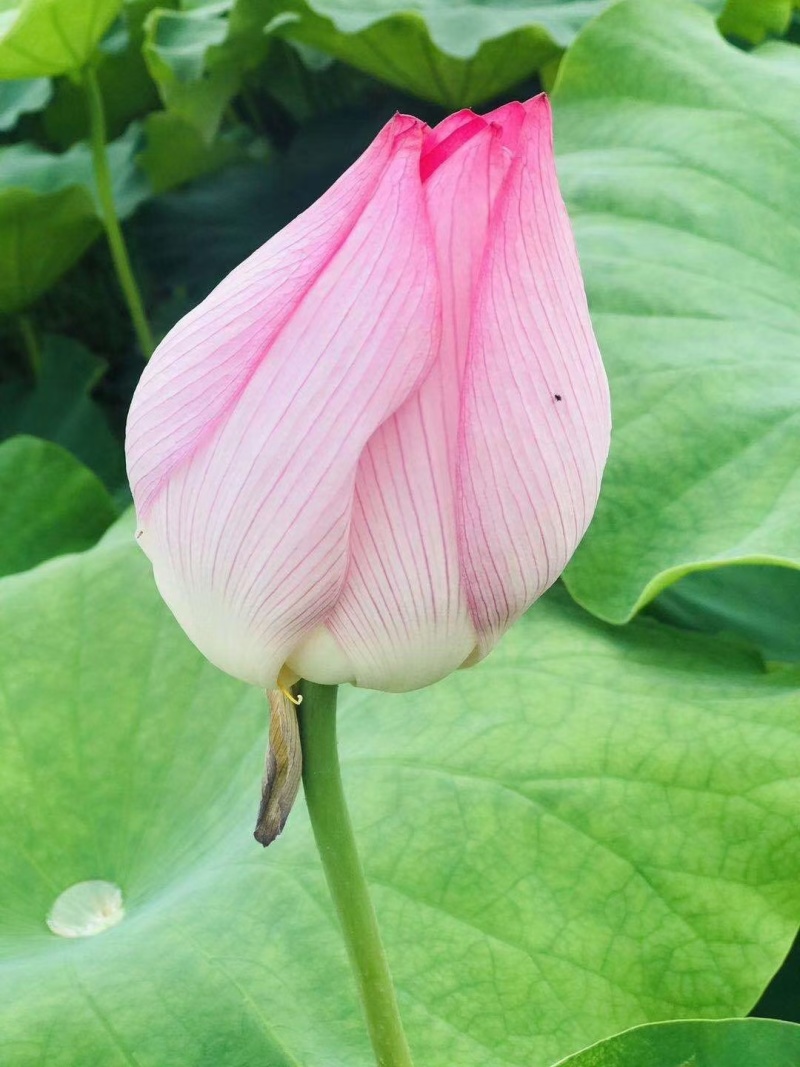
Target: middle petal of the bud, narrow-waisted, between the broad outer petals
x=403 y=617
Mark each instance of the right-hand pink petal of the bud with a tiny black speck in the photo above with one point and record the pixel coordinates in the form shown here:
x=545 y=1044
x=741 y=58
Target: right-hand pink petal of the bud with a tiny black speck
x=531 y=466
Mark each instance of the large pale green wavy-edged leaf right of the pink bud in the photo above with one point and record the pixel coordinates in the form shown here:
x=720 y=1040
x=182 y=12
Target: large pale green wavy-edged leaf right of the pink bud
x=680 y=161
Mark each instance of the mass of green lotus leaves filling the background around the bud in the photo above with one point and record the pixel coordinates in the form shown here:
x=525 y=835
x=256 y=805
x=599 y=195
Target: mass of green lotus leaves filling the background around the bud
x=595 y=831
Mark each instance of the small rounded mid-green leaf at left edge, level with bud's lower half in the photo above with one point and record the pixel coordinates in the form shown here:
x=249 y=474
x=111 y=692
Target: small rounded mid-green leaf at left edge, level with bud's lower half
x=52 y=504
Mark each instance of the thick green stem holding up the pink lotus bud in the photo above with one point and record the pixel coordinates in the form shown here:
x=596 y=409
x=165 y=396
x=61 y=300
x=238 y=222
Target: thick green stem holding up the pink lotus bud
x=337 y=845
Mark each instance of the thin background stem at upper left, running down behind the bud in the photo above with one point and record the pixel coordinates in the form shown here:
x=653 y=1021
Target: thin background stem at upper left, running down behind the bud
x=111 y=222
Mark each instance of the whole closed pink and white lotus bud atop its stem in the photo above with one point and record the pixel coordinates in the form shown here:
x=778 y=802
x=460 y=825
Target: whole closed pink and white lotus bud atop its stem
x=381 y=438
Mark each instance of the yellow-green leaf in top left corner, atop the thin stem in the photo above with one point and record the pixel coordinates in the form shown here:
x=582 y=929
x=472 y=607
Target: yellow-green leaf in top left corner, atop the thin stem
x=51 y=37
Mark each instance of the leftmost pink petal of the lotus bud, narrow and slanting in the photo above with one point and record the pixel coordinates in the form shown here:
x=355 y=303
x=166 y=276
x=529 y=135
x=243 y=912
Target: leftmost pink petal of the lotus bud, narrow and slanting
x=204 y=364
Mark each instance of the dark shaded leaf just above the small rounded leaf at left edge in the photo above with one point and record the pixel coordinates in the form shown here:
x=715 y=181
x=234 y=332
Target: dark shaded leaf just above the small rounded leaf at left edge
x=59 y=407
